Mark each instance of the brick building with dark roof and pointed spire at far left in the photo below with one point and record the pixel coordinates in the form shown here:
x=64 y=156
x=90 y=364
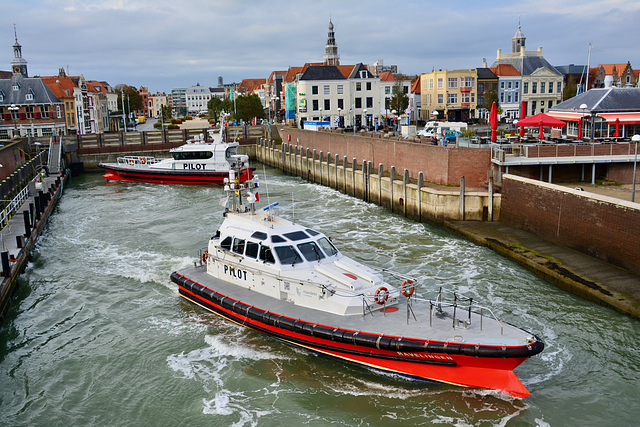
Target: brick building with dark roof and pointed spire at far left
x=27 y=106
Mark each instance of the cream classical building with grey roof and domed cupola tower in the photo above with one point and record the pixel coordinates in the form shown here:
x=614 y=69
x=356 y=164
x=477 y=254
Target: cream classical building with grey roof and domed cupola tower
x=542 y=84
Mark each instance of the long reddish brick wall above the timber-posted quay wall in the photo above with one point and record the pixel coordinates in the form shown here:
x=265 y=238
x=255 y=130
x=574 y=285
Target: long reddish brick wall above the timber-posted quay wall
x=440 y=165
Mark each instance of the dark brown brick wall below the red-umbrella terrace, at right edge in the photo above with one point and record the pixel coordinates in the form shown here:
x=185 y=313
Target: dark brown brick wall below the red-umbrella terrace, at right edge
x=600 y=226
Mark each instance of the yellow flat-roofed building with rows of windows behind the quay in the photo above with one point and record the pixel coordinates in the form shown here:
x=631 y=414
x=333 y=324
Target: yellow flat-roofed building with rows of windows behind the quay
x=450 y=93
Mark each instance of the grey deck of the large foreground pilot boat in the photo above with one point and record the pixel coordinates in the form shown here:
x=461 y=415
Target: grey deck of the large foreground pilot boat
x=421 y=320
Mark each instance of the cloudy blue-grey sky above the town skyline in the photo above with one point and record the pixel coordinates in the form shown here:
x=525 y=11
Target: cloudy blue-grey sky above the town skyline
x=168 y=43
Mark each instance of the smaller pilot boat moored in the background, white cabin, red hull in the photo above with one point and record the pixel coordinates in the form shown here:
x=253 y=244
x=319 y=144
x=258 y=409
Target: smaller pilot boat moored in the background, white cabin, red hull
x=196 y=162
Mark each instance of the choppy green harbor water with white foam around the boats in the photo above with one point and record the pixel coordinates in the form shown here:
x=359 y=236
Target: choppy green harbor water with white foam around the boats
x=97 y=334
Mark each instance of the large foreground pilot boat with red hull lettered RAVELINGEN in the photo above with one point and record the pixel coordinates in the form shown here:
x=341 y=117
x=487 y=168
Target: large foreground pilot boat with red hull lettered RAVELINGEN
x=290 y=282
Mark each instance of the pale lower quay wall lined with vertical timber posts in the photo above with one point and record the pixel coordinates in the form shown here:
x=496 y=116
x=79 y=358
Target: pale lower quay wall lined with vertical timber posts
x=395 y=190
